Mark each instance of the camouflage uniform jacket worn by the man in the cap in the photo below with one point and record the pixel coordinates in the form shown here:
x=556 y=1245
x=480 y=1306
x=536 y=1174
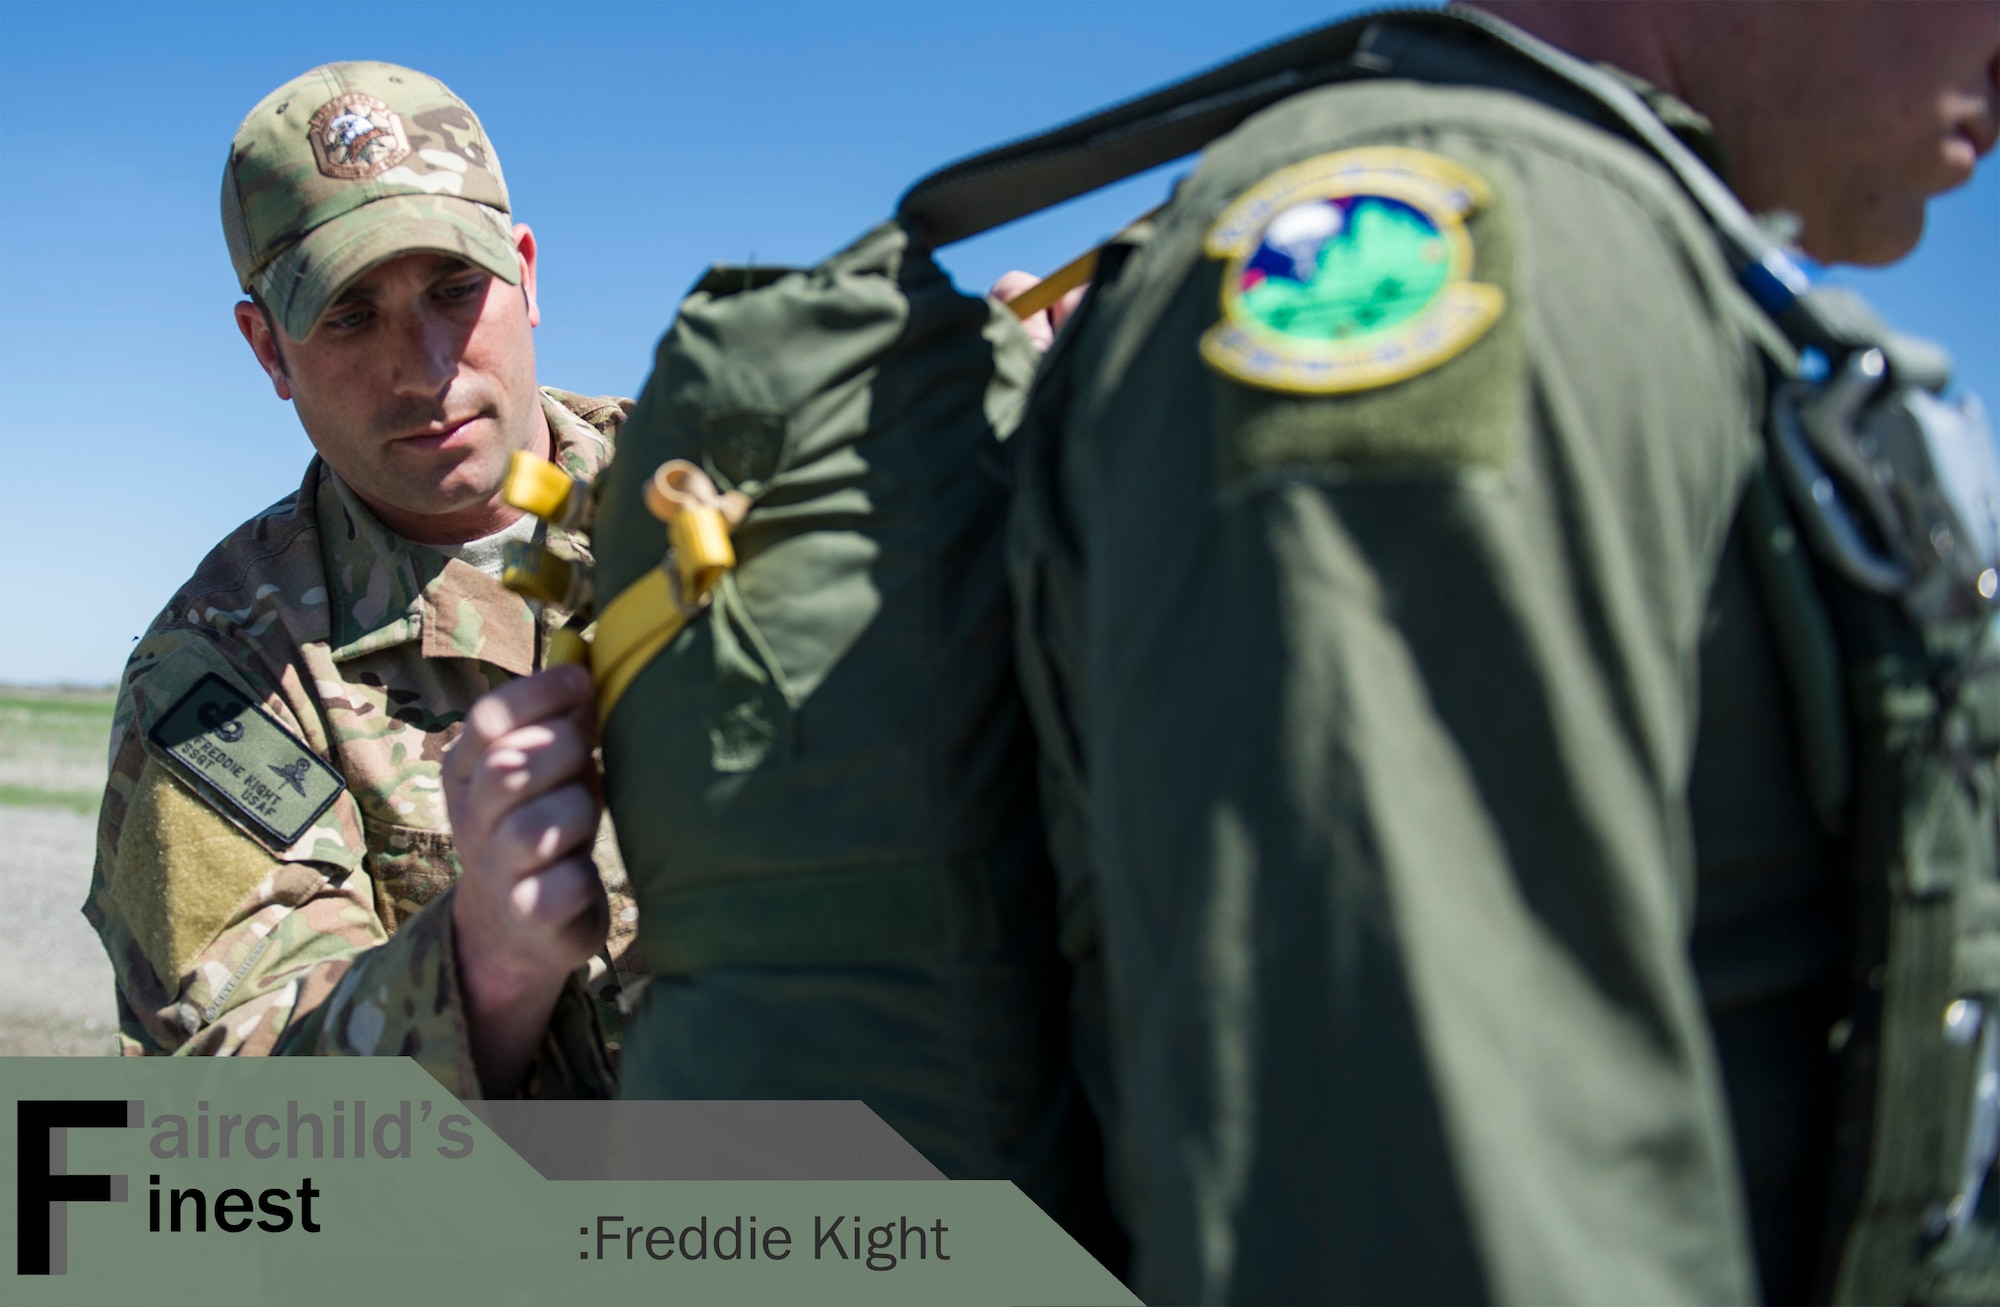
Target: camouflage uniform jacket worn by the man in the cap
x=275 y=860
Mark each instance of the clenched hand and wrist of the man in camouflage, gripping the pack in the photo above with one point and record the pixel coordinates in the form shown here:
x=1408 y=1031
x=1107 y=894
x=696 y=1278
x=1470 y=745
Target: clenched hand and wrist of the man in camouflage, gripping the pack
x=529 y=908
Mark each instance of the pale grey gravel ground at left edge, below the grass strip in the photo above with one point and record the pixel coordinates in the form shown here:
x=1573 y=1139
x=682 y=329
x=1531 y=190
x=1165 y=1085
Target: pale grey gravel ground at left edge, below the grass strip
x=55 y=980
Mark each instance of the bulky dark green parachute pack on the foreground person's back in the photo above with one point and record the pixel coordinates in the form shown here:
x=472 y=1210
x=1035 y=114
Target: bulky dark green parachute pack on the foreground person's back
x=825 y=786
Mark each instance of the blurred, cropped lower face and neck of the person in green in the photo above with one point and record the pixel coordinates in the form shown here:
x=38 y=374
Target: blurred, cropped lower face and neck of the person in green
x=1855 y=115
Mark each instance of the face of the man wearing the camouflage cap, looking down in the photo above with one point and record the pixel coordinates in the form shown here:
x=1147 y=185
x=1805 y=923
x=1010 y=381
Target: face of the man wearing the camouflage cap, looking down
x=415 y=387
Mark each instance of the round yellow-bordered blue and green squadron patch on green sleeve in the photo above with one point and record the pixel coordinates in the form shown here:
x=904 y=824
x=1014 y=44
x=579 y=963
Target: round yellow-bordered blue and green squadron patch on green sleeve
x=1349 y=273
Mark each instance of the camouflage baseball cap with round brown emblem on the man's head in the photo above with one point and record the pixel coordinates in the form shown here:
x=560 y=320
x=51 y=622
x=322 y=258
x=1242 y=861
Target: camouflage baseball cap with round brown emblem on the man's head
x=353 y=165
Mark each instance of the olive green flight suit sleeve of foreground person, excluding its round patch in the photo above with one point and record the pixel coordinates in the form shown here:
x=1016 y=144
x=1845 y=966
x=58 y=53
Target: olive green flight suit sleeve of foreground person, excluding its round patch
x=1379 y=766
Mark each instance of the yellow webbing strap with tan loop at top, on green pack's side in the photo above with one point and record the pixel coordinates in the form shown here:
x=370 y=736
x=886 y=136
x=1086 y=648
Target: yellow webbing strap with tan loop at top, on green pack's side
x=655 y=609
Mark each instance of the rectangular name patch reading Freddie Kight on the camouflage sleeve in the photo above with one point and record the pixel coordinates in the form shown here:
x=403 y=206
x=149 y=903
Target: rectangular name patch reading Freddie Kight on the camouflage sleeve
x=243 y=758
